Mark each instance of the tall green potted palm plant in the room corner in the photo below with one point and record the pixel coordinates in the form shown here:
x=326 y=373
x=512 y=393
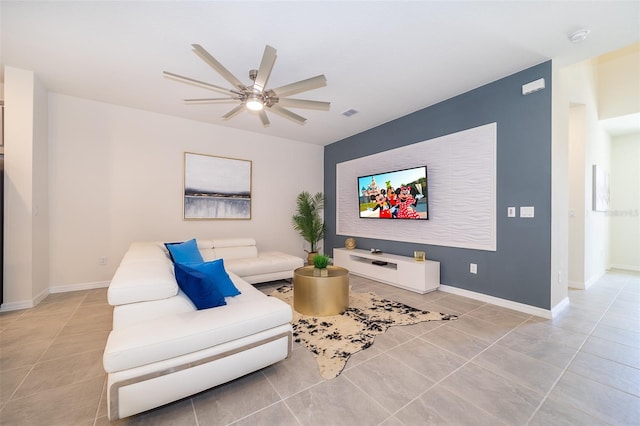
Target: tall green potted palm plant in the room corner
x=308 y=221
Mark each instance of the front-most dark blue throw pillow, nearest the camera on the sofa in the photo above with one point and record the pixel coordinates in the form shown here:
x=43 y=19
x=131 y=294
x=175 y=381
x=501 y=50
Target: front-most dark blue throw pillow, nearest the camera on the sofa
x=198 y=287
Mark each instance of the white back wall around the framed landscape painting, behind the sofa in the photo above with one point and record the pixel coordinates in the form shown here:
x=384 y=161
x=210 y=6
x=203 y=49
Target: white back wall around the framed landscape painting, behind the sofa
x=116 y=175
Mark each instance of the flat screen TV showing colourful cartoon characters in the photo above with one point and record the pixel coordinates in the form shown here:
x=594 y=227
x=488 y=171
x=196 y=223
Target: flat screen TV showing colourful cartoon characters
x=398 y=194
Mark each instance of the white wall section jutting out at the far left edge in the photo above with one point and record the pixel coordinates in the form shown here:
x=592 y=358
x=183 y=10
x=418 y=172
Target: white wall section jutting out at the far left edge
x=26 y=235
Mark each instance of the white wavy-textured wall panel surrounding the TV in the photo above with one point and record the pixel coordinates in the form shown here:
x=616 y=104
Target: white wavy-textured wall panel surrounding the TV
x=461 y=181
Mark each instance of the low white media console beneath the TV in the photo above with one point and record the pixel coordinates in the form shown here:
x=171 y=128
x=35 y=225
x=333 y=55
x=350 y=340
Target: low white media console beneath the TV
x=400 y=271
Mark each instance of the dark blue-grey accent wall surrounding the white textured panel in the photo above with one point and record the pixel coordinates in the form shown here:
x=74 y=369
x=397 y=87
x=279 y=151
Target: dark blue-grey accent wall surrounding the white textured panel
x=519 y=270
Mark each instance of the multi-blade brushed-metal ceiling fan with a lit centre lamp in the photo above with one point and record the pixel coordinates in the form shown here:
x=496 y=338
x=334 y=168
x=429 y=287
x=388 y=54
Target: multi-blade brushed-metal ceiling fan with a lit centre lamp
x=256 y=96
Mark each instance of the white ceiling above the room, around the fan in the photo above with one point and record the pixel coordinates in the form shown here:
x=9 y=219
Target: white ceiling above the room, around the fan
x=384 y=58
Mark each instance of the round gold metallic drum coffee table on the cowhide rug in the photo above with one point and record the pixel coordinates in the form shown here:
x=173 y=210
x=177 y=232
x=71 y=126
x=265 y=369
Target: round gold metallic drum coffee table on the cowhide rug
x=321 y=296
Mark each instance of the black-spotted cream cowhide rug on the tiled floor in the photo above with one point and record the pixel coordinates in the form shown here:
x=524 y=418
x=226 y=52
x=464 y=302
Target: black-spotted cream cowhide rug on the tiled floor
x=334 y=339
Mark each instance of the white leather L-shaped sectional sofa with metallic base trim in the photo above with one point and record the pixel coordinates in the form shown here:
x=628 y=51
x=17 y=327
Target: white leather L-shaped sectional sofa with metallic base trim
x=162 y=348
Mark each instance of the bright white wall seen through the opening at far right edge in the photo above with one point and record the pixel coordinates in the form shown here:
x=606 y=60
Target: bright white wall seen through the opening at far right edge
x=625 y=202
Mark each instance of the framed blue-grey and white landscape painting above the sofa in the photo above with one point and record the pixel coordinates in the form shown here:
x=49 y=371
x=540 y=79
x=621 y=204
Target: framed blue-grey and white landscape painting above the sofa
x=216 y=187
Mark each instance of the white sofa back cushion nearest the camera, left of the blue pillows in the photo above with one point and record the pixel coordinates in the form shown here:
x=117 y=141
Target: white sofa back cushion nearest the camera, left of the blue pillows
x=142 y=281
